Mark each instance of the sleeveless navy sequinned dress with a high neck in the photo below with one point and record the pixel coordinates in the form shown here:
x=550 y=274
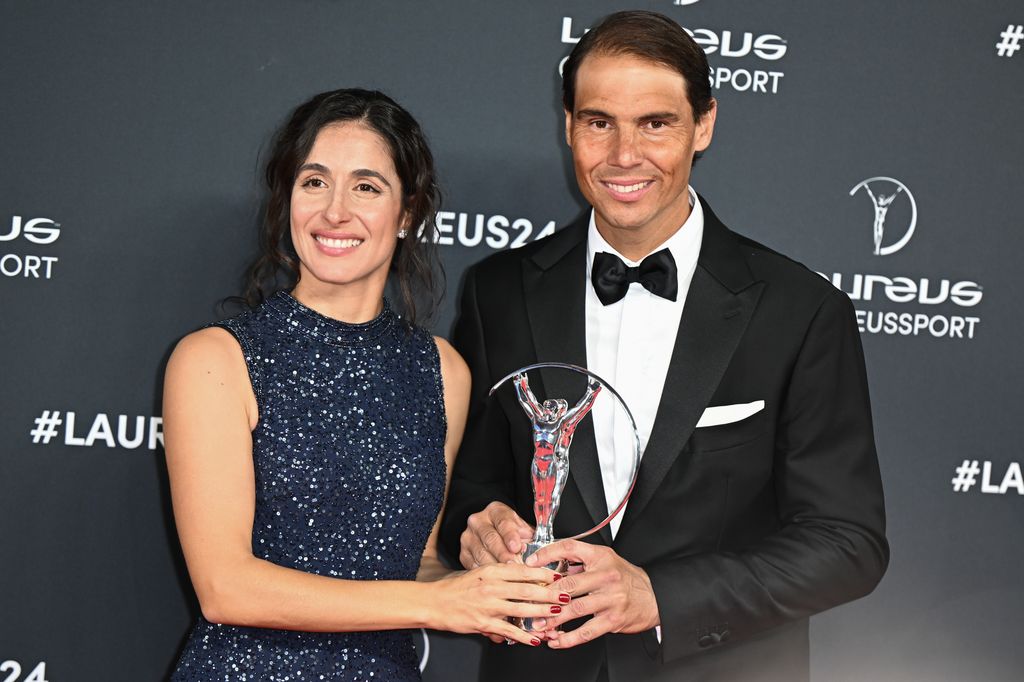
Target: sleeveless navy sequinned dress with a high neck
x=350 y=464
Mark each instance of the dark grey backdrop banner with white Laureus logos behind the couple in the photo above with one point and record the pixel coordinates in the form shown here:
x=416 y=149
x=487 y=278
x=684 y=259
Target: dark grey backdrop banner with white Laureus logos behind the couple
x=878 y=143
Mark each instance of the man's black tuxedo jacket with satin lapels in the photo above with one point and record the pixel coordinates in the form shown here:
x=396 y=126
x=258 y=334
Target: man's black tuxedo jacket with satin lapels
x=745 y=529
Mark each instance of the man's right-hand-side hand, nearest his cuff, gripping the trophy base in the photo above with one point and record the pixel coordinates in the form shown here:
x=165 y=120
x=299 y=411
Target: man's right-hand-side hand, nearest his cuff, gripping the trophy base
x=618 y=594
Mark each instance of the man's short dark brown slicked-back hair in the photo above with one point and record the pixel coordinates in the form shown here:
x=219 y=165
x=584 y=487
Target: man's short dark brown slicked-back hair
x=648 y=36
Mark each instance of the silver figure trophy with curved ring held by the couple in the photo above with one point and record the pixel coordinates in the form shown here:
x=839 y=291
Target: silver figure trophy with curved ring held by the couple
x=554 y=423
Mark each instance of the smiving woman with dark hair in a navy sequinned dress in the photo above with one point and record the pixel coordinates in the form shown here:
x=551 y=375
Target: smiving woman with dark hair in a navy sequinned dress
x=310 y=440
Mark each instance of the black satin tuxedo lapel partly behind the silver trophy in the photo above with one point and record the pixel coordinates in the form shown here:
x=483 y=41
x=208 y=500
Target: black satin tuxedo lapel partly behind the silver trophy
x=554 y=286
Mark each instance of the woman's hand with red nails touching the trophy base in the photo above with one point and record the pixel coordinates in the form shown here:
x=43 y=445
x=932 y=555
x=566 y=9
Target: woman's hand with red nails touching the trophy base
x=482 y=600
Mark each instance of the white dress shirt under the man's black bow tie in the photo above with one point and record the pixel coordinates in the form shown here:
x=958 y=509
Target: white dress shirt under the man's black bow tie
x=629 y=345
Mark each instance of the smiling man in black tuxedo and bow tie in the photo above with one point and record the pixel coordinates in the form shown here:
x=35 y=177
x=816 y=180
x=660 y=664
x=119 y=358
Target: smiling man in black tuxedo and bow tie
x=758 y=502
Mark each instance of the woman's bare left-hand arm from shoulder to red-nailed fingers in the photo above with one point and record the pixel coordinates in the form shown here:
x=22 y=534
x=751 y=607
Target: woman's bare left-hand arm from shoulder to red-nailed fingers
x=209 y=412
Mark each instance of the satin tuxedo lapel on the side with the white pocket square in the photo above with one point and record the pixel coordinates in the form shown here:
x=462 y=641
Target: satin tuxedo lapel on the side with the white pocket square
x=722 y=297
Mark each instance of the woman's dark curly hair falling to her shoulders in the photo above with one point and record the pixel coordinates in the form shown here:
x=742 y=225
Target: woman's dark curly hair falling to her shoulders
x=415 y=266
